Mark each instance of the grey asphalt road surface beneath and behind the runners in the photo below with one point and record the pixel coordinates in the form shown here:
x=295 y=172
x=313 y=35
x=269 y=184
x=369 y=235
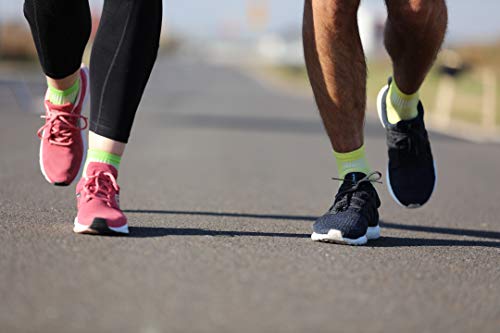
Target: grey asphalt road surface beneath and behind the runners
x=221 y=181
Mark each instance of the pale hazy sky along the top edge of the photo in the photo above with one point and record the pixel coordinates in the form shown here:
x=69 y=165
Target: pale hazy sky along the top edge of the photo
x=470 y=21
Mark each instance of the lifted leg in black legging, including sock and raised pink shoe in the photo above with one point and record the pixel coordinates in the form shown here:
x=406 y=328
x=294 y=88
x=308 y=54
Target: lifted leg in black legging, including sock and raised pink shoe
x=61 y=30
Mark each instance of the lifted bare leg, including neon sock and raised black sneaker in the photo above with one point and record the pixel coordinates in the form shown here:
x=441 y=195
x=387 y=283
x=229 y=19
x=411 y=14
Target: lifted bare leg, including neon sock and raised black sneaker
x=414 y=33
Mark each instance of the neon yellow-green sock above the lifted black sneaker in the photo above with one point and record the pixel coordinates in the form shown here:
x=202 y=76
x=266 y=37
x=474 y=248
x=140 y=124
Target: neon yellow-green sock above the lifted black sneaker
x=401 y=106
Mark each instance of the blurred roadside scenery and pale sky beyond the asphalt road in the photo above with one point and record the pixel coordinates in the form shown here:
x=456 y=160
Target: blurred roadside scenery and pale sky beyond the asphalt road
x=264 y=38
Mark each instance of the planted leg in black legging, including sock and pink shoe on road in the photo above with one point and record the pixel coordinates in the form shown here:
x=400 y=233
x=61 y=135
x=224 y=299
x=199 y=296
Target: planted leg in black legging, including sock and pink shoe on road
x=122 y=59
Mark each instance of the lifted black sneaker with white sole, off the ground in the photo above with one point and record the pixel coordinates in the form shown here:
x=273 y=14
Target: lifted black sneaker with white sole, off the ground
x=411 y=171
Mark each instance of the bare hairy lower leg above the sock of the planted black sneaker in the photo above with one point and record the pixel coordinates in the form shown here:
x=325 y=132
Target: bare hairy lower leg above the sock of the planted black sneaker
x=337 y=69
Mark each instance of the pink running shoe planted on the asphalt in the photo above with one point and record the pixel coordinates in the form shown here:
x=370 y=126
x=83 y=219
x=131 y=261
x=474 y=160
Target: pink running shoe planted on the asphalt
x=97 y=195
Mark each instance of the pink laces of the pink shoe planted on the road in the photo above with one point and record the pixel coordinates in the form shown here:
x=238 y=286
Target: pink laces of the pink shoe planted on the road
x=101 y=185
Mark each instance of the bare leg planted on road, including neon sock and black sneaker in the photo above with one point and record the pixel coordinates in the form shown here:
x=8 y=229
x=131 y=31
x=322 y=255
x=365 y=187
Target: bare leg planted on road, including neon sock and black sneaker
x=337 y=71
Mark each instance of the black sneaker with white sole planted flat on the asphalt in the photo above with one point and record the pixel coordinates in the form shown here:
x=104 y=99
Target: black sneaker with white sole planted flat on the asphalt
x=353 y=218
